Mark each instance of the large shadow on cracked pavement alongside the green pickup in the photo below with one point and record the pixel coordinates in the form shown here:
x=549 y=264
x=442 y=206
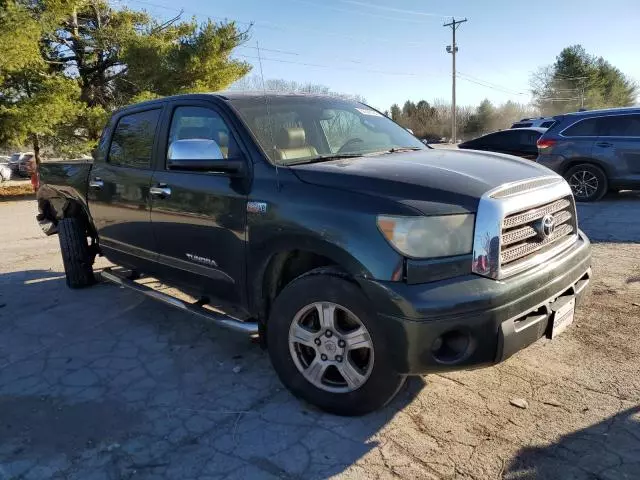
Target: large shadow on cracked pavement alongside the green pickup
x=103 y=378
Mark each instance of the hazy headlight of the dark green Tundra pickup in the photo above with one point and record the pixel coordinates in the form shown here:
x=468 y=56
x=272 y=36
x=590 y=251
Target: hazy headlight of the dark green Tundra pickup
x=429 y=237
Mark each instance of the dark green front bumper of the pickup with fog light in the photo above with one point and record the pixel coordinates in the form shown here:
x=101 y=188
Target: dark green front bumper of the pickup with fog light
x=472 y=321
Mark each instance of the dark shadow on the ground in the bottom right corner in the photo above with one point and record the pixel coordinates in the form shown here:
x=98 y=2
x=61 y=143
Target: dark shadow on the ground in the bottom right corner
x=607 y=450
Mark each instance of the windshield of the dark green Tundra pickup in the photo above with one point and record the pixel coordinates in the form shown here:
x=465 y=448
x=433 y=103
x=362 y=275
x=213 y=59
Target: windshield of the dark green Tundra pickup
x=300 y=129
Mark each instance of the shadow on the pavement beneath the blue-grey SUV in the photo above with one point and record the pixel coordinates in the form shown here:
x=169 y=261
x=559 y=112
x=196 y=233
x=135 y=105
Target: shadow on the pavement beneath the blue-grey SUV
x=614 y=219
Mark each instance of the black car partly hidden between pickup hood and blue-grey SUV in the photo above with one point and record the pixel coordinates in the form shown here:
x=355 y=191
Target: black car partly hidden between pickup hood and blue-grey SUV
x=516 y=141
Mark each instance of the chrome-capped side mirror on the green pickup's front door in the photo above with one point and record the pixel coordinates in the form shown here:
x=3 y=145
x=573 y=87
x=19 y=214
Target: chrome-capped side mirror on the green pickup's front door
x=196 y=154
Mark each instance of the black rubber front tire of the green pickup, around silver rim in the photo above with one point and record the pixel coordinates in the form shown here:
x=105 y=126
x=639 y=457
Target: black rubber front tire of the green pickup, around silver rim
x=377 y=386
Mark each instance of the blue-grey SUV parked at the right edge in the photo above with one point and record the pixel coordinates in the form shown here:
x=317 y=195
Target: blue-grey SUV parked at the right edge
x=596 y=151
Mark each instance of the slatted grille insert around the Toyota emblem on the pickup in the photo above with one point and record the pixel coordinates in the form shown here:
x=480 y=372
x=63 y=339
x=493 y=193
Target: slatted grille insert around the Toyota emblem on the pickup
x=521 y=238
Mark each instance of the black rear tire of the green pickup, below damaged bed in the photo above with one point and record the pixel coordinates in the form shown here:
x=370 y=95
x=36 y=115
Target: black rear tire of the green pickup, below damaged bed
x=76 y=257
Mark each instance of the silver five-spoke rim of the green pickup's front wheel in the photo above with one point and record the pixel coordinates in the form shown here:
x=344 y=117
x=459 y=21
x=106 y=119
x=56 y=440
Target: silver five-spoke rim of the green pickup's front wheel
x=331 y=347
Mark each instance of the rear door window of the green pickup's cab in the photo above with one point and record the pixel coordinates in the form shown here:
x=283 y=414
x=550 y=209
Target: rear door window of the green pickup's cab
x=132 y=141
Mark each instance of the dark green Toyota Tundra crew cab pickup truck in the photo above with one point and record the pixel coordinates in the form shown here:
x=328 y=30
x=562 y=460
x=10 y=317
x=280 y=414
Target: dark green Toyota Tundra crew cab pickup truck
x=357 y=254
